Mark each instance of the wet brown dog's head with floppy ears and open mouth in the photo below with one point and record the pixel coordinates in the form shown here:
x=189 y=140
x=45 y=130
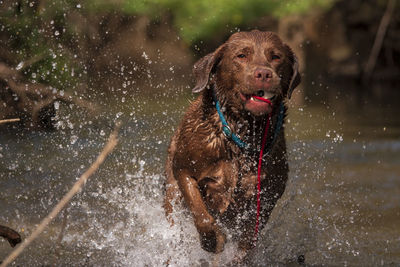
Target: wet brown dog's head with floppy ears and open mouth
x=250 y=64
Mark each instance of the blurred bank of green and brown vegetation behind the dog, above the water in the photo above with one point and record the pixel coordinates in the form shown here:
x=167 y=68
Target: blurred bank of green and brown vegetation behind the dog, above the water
x=97 y=46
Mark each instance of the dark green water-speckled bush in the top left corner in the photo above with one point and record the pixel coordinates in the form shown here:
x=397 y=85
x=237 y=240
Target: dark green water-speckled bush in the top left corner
x=36 y=37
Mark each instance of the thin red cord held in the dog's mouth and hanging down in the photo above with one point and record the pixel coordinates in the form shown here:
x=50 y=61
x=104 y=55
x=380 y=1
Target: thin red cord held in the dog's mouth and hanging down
x=264 y=140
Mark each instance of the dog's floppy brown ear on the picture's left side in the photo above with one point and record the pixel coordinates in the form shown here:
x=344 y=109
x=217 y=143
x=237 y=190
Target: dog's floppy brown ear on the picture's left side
x=203 y=67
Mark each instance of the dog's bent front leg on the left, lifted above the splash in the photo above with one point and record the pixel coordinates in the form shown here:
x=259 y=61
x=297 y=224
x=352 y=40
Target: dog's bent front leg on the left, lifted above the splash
x=211 y=236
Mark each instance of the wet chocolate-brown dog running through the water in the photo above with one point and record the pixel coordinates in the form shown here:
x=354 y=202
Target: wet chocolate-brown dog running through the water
x=216 y=176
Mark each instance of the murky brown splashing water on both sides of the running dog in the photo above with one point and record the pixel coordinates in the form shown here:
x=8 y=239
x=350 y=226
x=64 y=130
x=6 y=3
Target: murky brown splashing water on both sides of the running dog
x=341 y=205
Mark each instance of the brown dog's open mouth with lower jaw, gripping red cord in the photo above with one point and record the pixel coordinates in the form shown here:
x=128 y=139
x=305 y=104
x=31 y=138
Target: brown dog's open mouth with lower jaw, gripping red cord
x=259 y=103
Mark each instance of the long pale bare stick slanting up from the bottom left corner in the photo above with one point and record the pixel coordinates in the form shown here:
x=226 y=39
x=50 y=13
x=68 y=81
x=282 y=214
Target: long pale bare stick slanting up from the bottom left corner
x=112 y=142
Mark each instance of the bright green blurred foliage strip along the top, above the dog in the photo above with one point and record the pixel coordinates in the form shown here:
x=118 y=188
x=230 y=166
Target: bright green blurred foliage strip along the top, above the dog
x=200 y=19
